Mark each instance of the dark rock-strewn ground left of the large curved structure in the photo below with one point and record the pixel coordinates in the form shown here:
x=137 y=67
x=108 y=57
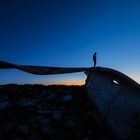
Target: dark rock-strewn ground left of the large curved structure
x=37 y=112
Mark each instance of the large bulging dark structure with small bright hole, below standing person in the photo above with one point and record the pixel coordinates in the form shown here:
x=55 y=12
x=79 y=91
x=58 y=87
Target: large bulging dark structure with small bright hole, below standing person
x=117 y=98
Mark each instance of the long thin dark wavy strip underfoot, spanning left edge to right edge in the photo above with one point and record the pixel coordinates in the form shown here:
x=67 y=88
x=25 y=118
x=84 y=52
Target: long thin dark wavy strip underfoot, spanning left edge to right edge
x=45 y=70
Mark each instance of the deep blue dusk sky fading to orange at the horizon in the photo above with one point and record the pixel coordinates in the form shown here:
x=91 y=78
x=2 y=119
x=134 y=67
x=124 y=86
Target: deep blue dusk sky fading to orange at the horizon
x=66 y=33
